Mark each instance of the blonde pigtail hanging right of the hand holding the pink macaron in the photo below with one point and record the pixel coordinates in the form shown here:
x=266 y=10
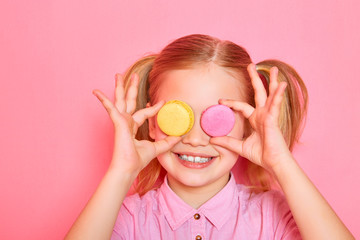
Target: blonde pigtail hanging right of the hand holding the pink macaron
x=294 y=106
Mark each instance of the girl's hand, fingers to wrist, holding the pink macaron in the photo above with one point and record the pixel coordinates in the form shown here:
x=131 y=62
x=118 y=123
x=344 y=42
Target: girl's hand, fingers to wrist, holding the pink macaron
x=266 y=145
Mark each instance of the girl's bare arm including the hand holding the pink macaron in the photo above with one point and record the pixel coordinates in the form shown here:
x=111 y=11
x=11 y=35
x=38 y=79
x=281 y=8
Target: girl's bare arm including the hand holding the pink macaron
x=266 y=147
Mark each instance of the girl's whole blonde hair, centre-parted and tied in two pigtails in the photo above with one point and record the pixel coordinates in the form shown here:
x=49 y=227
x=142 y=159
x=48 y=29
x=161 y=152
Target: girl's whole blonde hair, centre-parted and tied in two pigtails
x=194 y=50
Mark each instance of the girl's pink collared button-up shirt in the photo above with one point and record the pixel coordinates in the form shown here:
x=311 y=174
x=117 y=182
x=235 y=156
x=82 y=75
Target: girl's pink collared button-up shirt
x=230 y=214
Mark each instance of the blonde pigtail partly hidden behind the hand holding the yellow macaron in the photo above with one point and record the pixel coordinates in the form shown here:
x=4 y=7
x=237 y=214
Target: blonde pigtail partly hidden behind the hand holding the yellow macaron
x=148 y=177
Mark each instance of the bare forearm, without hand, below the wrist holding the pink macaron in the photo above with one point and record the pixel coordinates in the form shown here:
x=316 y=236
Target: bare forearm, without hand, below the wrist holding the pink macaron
x=313 y=215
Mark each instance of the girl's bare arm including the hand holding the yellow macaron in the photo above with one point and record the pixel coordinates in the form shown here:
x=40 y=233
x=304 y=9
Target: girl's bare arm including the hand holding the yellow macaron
x=130 y=156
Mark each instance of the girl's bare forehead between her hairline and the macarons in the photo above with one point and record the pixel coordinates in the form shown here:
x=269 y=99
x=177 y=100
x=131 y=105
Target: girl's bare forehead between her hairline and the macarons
x=201 y=86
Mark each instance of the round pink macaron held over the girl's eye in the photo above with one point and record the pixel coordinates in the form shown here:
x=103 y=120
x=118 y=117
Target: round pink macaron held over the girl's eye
x=217 y=120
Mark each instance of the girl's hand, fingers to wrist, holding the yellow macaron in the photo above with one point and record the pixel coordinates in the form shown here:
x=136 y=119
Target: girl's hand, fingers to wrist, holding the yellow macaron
x=131 y=155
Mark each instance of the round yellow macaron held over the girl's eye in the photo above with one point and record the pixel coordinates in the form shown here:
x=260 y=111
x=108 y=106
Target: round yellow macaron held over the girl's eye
x=175 y=118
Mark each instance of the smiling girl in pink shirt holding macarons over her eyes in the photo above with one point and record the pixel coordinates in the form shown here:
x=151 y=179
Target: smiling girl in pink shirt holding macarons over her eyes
x=180 y=199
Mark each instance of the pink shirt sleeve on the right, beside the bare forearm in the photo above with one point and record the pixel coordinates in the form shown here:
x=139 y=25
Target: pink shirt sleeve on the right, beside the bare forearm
x=279 y=214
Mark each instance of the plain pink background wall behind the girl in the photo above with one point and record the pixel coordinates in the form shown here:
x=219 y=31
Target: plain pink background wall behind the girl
x=56 y=139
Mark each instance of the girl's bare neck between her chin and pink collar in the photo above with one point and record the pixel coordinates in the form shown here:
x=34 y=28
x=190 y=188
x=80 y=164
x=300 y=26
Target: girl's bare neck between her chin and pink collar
x=197 y=196
